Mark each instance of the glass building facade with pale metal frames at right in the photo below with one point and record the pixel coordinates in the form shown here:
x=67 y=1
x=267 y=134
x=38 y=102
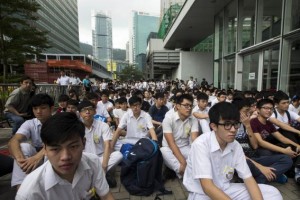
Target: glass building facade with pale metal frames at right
x=257 y=45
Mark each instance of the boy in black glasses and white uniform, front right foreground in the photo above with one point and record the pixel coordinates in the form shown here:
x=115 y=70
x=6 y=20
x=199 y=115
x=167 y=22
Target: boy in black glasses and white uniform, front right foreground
x=215 y=156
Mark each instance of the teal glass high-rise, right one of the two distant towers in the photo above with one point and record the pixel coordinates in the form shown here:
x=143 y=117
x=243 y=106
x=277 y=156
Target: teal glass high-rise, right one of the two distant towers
x=142 y=25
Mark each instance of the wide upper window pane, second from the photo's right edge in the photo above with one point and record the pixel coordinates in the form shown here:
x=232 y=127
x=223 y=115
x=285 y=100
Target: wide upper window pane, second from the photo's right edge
x=271 y=21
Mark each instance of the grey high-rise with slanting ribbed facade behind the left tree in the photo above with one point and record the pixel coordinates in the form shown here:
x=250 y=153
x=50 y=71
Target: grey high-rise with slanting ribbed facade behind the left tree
x=60 y=19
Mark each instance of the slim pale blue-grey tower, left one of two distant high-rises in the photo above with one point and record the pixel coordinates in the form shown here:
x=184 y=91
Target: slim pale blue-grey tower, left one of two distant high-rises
x=102 y=37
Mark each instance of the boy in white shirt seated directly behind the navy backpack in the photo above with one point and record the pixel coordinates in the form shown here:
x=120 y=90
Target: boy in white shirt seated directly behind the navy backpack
x=137 y=122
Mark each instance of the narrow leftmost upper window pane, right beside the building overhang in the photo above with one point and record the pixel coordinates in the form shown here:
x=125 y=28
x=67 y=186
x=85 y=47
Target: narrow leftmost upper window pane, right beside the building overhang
x=231 y=14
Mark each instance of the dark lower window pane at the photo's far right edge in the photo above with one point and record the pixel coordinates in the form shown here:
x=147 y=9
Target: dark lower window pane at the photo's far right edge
x=294 y=76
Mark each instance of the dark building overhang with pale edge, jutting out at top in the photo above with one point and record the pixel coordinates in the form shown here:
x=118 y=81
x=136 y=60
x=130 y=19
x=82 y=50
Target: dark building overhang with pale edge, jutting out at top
x=194 y=23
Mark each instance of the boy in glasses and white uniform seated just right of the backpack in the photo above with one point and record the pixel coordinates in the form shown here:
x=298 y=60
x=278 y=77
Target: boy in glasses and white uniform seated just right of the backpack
x=179 y=129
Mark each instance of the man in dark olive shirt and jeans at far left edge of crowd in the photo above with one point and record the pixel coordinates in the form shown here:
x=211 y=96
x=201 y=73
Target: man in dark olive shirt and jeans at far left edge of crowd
x=17 y=104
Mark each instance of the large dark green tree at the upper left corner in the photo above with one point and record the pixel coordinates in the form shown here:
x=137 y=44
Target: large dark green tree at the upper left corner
x=19 y=36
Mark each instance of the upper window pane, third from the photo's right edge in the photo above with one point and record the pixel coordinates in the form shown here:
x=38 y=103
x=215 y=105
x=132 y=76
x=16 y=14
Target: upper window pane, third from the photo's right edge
x=248 y=22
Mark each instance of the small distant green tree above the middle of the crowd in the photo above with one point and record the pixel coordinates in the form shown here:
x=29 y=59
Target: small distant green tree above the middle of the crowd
x=130 y=73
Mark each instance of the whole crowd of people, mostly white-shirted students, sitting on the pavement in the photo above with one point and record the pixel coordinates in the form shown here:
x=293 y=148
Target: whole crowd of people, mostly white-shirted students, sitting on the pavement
x=223 y=144
